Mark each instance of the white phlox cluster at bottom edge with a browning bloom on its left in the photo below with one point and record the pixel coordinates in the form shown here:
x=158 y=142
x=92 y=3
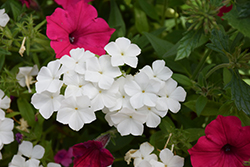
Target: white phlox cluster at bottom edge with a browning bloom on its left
x=145 y=158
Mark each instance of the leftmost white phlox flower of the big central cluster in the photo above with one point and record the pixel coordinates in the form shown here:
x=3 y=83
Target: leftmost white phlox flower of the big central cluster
x=47 y=102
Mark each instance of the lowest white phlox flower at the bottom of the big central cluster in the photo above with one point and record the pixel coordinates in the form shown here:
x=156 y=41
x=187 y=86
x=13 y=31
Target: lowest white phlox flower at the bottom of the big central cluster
x=129 y=122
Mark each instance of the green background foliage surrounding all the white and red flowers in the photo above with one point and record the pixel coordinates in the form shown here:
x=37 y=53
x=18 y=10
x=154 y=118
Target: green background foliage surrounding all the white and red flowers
x=207 y=53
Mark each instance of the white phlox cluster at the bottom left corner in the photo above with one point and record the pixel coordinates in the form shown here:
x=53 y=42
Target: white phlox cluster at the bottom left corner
x=29 y=156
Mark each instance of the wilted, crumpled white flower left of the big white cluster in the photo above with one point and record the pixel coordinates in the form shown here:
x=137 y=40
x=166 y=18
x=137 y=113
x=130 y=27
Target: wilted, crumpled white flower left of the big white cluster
x=25 y=76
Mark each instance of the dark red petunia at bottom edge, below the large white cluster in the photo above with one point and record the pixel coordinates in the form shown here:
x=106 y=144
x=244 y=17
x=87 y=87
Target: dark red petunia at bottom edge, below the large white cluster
x=91 y=154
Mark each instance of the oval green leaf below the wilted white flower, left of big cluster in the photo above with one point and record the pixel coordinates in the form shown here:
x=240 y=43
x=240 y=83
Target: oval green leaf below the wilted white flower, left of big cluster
x=26 y=111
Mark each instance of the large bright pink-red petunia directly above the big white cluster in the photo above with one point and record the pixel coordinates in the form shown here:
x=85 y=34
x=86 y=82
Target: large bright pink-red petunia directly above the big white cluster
x=78 y=26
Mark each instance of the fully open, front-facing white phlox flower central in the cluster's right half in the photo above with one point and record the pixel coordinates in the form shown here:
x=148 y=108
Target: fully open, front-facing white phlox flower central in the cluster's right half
x=142 y=91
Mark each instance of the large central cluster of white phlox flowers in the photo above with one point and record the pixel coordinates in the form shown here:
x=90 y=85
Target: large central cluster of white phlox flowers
x=97 y=83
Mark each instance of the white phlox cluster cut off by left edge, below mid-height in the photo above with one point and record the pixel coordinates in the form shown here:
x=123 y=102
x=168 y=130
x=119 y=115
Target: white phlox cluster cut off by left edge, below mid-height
x=6 y=124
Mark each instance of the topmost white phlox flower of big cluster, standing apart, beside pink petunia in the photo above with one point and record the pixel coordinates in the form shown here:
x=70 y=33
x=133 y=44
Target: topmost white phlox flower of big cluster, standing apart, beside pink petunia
x=123 y=52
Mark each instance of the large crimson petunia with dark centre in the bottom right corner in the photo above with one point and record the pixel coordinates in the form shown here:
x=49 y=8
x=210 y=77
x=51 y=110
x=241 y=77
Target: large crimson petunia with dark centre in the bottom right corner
x=226 y=144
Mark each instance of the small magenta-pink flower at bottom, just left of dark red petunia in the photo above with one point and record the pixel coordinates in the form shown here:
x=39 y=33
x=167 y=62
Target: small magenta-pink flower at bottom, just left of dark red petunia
x=64 y=157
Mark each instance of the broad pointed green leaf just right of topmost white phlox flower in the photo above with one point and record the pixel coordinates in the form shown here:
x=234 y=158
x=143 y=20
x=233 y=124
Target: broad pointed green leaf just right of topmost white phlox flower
x=160 y=46
